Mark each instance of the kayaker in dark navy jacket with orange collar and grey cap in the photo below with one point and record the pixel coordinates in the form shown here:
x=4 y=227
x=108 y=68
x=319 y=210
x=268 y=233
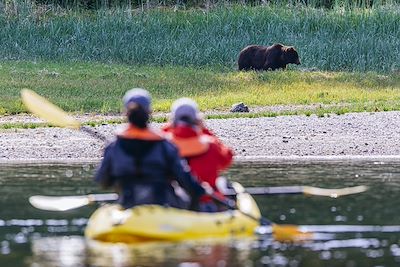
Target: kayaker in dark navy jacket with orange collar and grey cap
x=141 y=164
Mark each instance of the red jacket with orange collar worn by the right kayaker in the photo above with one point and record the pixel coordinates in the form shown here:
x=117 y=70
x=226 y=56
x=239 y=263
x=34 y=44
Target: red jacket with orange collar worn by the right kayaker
x=206 y=155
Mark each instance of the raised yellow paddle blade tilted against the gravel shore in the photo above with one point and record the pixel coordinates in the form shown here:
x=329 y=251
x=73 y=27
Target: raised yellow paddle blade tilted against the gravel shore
x=42 y=108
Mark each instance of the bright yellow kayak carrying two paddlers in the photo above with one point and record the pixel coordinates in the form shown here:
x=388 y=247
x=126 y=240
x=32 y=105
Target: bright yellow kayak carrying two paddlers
x=112 y=223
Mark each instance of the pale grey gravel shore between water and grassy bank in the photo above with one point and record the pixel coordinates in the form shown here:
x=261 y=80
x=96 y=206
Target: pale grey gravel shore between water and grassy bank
x=353 y=134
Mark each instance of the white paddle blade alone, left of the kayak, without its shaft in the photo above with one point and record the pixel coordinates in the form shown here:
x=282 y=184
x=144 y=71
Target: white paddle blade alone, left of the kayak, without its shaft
x=53 y=203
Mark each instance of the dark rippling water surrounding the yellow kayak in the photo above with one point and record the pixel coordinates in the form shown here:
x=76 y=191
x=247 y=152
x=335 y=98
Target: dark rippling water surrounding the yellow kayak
x=357 y=230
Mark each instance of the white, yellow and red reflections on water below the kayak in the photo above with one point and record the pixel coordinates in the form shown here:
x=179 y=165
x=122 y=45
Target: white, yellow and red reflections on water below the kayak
x=75 y=251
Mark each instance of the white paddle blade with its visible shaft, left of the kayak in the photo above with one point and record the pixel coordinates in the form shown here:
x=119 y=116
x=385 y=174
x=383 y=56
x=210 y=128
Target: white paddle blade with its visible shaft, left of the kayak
x=64 y=203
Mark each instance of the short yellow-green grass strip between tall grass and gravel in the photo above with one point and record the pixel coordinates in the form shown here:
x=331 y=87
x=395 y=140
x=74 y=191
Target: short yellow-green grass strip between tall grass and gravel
x=86 y=87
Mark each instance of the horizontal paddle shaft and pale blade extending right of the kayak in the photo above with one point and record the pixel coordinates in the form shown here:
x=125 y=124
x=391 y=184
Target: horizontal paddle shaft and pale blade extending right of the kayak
x=307 y=190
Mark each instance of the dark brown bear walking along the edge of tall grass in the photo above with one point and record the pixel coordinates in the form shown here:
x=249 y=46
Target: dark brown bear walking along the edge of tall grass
x=258 y=57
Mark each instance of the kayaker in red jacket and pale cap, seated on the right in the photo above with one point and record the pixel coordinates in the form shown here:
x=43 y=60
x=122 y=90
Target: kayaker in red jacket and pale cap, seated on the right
x=207 y=156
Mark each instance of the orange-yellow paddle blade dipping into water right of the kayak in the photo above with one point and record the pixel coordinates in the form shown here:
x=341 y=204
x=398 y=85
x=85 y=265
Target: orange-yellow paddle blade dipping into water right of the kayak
x=290 y=233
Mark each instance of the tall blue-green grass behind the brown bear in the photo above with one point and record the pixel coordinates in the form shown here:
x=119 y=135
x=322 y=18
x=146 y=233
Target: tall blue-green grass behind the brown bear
x=335 y=40
